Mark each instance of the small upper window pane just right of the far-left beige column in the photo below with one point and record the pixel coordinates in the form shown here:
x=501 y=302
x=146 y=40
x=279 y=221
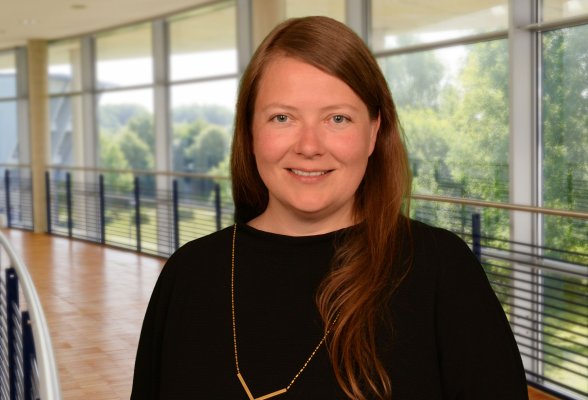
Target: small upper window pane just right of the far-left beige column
x=64 y=67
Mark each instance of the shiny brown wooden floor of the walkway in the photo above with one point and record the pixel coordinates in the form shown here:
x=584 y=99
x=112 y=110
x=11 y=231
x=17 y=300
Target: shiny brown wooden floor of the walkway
x=94 y=299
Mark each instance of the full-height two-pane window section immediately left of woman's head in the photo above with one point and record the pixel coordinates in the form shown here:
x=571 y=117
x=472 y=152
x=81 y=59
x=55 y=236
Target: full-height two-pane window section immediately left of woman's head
x=203 y=49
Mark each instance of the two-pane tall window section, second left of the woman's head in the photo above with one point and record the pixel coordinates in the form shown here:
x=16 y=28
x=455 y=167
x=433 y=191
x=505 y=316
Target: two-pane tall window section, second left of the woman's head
x=124 y=78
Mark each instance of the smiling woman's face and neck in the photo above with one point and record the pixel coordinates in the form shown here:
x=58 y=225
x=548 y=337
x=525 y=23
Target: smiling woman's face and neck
x=312 y=136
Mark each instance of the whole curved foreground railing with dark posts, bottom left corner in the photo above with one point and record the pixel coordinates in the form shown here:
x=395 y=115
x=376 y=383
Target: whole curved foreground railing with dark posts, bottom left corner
x=28 y=369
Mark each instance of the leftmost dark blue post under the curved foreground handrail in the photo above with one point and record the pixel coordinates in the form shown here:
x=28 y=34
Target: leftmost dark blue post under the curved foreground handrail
x=12 y=317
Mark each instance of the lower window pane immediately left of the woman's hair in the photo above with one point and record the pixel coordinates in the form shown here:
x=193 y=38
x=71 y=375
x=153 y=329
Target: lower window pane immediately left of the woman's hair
x=202 y=117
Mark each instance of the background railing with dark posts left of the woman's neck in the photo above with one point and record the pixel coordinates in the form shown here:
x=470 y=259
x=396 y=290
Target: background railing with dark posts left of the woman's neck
x=142 y=210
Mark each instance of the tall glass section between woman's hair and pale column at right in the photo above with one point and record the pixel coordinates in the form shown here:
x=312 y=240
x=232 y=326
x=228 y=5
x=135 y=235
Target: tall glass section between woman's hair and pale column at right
x=452 y=100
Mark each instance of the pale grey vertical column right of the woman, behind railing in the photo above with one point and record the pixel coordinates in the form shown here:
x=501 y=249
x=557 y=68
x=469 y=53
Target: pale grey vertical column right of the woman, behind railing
x=524 y=176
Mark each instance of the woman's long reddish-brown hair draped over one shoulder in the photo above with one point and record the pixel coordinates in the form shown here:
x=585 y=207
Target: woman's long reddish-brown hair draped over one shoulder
x=363 y=274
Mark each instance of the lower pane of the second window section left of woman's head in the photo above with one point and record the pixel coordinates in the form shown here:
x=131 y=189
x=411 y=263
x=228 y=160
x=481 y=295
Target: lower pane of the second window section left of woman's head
x=127 y=137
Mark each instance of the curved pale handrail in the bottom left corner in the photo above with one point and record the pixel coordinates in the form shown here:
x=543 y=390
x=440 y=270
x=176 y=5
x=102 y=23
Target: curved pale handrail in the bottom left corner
x=49 y=387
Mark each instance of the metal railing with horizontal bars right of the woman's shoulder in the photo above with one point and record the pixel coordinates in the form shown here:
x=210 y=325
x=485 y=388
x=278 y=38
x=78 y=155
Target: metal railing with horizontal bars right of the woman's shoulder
x=542 y=288
